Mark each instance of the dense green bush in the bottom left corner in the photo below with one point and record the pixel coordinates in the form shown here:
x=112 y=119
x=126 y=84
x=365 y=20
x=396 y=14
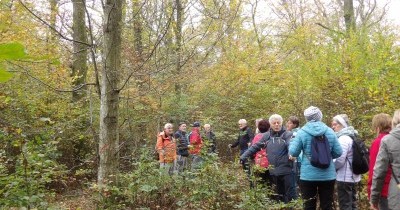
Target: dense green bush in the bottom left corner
x=25 y=183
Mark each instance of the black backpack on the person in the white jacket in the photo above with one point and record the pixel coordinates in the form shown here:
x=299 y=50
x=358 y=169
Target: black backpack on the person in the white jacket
x=360 y=163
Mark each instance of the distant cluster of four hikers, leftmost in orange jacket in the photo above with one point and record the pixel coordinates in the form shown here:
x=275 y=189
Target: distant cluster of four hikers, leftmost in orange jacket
x=175 y=149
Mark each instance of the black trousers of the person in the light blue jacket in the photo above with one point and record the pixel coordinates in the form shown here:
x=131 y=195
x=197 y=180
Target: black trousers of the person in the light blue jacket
x=323 y=189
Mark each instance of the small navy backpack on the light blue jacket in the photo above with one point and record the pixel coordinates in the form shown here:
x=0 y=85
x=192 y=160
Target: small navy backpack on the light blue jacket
x=320 y=152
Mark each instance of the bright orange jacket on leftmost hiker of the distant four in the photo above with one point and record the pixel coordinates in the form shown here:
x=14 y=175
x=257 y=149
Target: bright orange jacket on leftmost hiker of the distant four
x=166 y=148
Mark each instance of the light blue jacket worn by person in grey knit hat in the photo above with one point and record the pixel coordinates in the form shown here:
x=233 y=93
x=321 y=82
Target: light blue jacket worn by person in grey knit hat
x=302 y=142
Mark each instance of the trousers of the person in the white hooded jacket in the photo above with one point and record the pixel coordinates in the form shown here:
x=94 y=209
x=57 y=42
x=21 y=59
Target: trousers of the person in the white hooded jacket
x=347 y=195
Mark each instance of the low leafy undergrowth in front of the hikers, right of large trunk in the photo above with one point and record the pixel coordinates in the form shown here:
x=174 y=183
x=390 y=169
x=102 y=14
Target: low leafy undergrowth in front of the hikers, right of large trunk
x=214 y=186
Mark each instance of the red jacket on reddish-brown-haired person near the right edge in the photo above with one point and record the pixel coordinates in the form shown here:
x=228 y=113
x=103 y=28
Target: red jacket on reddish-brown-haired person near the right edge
x=373 y=153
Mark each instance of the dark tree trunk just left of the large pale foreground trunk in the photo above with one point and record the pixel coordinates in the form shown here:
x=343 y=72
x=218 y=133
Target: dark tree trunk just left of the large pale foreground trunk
x=79 y=57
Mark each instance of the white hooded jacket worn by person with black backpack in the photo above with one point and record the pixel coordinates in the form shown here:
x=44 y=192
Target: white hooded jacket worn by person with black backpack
x=343 y=163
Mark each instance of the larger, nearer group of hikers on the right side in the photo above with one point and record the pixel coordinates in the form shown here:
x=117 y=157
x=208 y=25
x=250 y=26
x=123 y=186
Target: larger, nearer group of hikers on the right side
x=285 y=153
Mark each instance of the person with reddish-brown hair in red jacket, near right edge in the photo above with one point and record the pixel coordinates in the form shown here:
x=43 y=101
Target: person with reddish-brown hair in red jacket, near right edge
x=381 y=124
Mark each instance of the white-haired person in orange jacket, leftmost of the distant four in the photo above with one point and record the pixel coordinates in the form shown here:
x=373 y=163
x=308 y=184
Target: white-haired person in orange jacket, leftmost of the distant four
x=166 y=149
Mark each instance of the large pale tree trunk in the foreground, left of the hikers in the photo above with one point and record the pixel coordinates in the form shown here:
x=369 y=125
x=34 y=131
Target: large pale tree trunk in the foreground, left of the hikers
x=109 y=132
